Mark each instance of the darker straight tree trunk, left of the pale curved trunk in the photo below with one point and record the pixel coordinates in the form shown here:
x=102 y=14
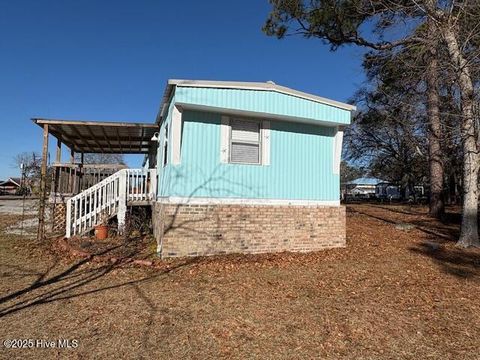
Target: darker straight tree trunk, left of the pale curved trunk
x=436 y=165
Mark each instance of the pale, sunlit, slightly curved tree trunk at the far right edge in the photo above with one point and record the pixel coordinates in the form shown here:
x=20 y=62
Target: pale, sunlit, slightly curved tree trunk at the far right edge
x=469 y=229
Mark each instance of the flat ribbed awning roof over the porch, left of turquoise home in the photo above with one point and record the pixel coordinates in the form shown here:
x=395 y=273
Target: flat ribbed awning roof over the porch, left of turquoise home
x=100 y=136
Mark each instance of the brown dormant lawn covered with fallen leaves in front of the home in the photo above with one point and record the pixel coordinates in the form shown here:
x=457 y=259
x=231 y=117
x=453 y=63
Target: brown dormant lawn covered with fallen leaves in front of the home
x=397 y=292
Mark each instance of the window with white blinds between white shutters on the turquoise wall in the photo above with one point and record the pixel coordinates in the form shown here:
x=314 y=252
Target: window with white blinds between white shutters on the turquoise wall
x=245 y=144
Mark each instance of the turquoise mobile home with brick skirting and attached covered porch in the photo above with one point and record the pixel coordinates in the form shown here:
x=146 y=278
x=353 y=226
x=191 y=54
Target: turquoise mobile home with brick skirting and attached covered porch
x=231 y=167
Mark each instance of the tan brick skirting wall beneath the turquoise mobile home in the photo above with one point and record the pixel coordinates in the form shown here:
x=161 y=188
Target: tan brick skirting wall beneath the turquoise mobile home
x=194 y=230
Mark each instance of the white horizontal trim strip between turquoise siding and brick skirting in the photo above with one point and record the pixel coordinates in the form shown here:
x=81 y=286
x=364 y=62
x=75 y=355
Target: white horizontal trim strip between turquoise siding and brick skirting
x=247 y=202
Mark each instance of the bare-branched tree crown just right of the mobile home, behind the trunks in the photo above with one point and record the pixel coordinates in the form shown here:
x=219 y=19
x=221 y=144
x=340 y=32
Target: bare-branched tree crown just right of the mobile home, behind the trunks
x=389 y=137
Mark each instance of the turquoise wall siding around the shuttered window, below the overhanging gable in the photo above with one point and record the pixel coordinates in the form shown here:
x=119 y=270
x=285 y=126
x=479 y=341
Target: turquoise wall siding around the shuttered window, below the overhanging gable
x=301 y=162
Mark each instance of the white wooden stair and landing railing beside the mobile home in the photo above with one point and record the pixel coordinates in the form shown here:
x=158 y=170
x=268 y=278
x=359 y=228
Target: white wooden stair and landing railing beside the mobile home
x=109 y=197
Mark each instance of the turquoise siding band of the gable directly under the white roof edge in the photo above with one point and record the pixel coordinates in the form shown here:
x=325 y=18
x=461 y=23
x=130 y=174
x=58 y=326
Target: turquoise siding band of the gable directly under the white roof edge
x=268 y=102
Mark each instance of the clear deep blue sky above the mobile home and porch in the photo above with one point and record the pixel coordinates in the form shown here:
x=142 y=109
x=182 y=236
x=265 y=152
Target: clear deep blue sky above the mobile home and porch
x=110 y=60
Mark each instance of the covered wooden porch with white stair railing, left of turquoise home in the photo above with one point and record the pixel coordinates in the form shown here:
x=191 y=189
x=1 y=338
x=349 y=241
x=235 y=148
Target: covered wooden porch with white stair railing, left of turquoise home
x=89 y=192
